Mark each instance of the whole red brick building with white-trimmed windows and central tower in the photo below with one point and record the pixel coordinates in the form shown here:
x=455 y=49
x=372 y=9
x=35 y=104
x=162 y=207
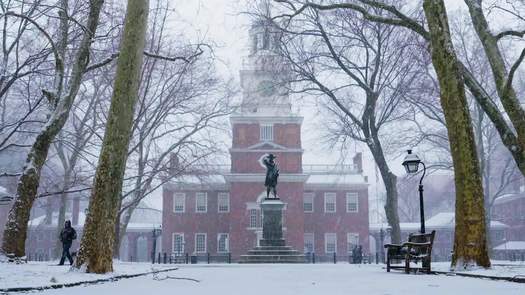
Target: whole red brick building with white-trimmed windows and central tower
x=326 y=206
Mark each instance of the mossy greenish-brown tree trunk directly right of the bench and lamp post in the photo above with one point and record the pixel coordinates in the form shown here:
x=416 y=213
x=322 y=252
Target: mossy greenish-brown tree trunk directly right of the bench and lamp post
x=470 y=246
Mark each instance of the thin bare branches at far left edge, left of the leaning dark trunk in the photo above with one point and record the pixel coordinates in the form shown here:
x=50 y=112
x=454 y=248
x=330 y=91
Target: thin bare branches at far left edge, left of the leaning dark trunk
x=24 y=60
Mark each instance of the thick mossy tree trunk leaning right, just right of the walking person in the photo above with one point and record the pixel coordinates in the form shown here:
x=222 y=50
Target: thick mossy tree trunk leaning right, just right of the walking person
x=96 y=249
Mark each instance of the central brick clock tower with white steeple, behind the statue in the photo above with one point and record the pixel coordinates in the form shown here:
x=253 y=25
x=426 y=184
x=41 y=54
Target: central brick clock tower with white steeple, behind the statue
x=265 y=124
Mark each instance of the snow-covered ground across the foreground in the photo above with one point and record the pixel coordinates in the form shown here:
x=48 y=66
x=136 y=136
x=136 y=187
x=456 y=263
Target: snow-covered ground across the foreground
x=301 y=279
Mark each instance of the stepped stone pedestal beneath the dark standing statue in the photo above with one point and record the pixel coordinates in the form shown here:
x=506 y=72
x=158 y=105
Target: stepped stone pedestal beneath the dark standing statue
x=272 y=247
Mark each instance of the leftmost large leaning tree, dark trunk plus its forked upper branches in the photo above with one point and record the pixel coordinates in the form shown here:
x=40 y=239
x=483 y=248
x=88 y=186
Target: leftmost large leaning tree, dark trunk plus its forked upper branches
x=60 y=102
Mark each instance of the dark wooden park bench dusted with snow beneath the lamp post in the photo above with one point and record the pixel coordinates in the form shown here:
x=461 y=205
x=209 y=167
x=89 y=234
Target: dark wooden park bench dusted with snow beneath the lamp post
x=418 y=248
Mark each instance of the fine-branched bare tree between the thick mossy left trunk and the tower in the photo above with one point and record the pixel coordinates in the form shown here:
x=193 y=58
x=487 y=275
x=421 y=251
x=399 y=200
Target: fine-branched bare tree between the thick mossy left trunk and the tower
x=179 y=102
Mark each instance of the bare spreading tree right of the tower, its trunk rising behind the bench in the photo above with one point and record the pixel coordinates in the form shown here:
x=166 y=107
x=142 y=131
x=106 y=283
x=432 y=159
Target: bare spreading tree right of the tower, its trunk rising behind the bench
x=364 y=70
